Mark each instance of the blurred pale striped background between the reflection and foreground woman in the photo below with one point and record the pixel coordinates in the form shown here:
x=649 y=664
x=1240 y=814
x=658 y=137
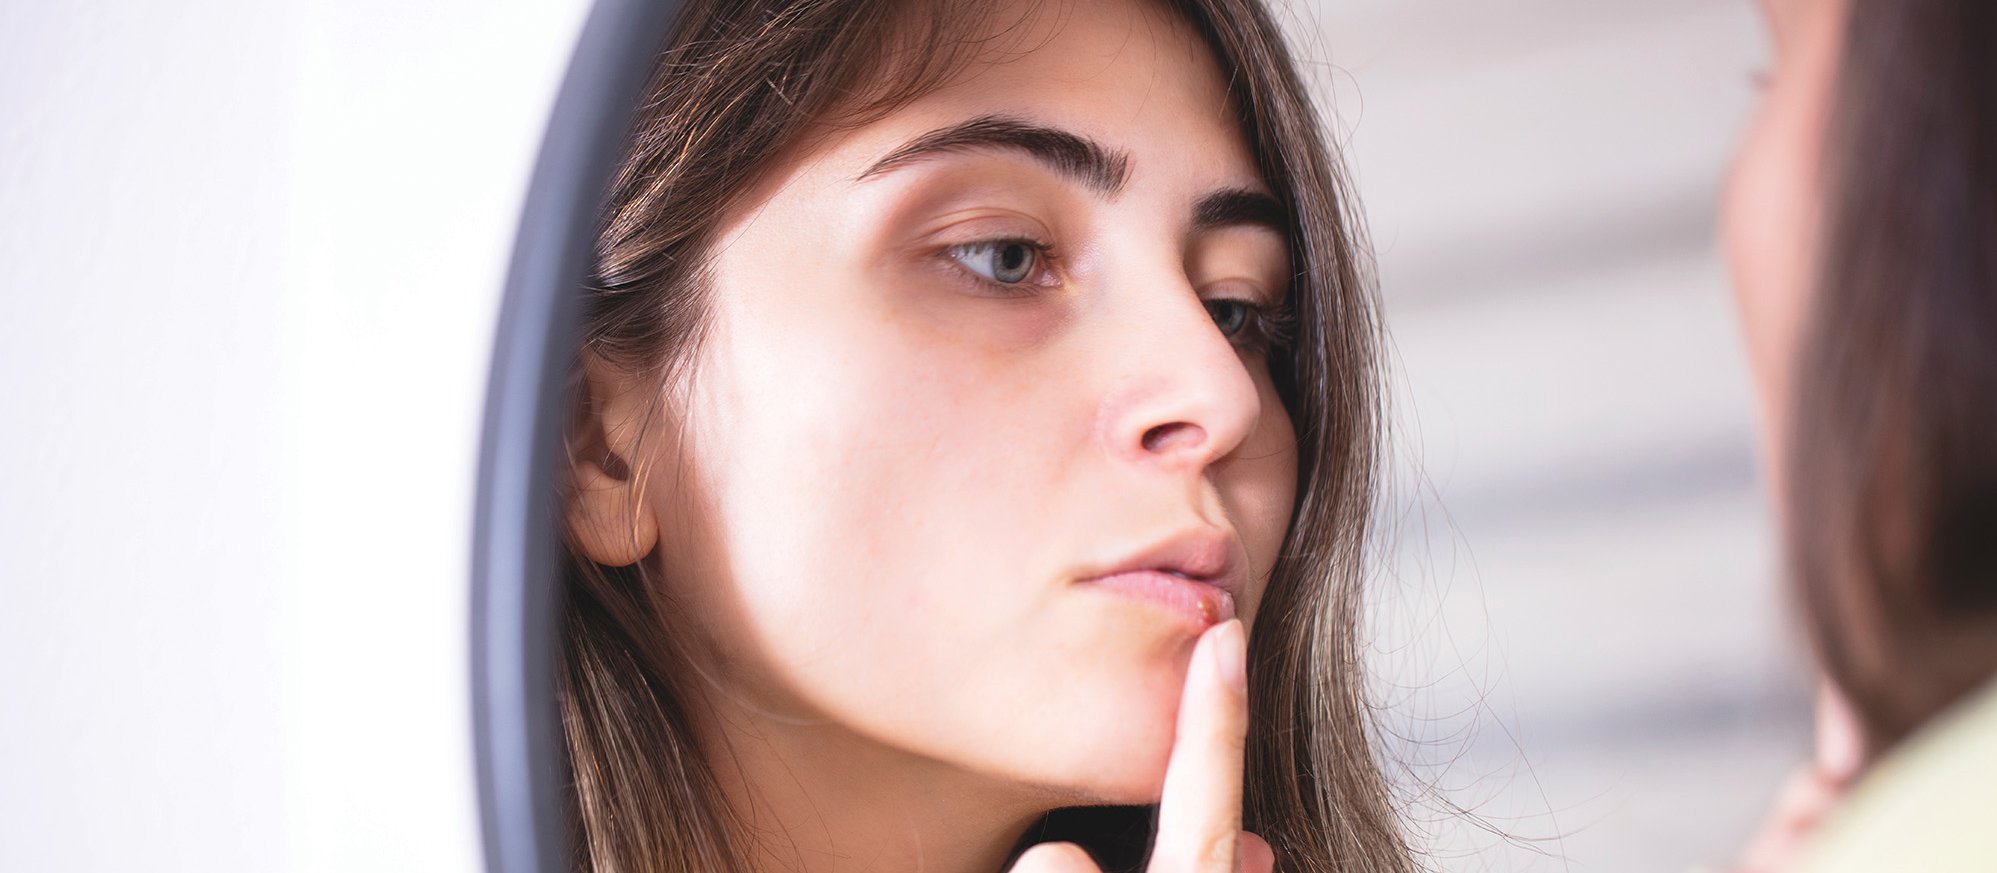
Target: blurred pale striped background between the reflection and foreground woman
x=1581 y=642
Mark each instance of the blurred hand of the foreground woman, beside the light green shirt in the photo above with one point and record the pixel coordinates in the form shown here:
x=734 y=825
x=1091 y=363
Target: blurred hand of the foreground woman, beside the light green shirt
x=1810 y=794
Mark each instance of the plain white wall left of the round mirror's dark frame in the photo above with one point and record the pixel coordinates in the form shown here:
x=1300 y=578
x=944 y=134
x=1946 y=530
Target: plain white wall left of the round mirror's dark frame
x=251 y=259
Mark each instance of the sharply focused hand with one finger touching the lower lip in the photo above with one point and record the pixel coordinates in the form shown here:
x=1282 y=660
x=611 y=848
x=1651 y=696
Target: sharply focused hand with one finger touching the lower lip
x=1201 y=814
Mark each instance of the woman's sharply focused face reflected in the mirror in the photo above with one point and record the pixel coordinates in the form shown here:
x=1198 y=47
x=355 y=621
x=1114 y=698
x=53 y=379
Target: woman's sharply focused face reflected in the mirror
x=982 y=383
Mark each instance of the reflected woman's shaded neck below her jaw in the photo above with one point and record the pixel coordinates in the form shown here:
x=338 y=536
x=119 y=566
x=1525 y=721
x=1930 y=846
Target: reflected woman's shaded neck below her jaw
x=818 y=798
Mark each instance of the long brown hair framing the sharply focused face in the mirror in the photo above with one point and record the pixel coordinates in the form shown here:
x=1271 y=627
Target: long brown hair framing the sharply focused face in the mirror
x=746 y=83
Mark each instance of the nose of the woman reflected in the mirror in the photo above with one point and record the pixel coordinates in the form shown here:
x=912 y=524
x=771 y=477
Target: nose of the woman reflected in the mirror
x=1183 y=397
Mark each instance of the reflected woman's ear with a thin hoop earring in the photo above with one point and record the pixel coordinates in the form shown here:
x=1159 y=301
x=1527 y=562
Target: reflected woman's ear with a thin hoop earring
x=608 y=516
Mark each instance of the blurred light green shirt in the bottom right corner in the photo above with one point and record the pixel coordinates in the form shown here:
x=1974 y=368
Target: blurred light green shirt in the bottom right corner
x=1928 y=808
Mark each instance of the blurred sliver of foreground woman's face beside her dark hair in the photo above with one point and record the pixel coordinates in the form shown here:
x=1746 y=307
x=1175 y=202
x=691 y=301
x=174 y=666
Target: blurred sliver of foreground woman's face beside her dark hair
x=1774 y=201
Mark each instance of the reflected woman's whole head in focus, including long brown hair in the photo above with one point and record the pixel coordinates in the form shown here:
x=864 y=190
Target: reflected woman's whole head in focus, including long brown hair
x=950 y=369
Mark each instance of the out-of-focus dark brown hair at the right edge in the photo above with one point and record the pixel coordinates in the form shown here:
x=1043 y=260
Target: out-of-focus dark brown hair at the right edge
x=1894 y=444
